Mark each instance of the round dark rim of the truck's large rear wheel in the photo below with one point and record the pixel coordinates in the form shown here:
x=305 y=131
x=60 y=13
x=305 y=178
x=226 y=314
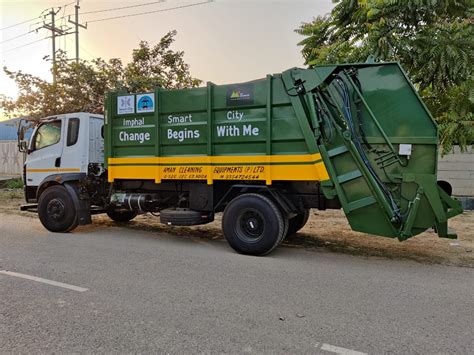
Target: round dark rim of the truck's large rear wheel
x=250 y=225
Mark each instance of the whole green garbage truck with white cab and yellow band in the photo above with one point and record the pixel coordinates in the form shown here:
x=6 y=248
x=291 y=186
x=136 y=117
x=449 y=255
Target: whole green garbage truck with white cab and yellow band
x=264 y=152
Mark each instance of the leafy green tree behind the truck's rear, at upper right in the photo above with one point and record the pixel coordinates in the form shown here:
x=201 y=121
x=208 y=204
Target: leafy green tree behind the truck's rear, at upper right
x=432 y=39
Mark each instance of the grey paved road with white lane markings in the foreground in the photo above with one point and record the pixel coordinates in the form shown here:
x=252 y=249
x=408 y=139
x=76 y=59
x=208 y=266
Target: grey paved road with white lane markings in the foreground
x=159 y=293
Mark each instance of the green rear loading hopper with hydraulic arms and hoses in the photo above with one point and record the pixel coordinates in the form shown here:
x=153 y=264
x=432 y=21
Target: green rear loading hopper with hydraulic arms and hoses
x=379 y=145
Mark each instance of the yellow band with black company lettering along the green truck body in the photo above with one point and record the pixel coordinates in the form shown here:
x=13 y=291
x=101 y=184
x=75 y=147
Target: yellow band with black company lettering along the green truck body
x=307 y=167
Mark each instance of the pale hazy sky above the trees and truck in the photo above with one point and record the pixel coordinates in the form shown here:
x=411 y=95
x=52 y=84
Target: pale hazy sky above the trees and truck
x=224 y=41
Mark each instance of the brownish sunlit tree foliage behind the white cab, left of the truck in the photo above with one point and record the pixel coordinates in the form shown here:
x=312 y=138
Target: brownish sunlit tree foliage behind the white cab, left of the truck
x=82 y=86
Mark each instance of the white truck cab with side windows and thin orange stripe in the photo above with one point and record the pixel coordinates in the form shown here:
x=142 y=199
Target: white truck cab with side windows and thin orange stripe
x=61 y=146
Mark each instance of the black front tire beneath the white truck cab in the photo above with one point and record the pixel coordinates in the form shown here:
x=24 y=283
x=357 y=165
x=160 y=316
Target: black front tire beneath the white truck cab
x=56 y=210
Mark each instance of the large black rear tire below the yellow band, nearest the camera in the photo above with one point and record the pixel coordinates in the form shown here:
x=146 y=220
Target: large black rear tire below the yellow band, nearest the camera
x=253 y=224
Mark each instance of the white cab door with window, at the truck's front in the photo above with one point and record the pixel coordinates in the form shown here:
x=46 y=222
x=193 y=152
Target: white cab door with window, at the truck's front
x=44 y=154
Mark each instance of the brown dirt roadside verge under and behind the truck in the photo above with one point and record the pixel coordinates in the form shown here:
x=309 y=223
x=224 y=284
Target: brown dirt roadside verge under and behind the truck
x=325 y=230
